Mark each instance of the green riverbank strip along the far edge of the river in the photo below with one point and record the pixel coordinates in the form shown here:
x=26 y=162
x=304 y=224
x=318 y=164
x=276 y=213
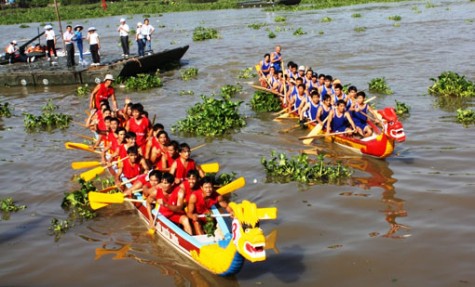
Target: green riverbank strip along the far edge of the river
x=147 y=8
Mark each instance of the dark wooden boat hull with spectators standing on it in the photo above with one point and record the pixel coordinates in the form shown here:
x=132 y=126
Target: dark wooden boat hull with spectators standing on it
x=44 y=73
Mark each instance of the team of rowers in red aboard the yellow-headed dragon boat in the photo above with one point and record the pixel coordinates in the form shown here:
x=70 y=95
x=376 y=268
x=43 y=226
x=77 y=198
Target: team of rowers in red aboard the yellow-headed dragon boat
x=161 y=168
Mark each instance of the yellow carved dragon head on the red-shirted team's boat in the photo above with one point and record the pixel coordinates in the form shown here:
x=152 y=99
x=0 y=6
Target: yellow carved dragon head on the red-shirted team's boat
x=247 y=235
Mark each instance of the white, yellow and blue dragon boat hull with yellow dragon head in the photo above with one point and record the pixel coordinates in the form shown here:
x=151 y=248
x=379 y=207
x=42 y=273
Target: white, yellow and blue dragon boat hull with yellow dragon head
x=224 y=253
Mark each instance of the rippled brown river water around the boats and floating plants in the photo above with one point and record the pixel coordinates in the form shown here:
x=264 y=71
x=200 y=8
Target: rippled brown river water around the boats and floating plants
x=404 y=221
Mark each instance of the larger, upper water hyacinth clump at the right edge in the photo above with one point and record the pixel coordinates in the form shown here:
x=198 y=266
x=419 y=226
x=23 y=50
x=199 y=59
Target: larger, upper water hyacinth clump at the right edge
x=451 y=84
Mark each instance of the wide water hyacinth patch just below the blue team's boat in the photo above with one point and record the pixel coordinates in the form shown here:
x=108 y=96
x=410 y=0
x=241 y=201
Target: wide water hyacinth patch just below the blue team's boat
x=300 y=168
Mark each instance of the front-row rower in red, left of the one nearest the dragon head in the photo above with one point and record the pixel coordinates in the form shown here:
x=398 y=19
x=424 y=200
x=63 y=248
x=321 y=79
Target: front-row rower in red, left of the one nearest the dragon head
x=171 y=199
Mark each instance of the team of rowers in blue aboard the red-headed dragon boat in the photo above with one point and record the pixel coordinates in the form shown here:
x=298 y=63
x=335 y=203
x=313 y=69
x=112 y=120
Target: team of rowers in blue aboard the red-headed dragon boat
x=316 y=97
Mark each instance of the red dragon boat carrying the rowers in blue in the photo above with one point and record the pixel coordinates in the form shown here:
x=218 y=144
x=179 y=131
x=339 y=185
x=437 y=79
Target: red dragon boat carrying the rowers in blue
x=380 y=144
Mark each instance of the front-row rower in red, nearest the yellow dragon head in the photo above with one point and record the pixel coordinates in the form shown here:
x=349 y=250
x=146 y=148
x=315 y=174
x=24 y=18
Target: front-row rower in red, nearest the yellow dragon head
x=201 y=201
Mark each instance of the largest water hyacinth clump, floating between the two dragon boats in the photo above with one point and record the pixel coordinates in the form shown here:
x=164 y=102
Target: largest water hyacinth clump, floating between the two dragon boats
x=214 y=116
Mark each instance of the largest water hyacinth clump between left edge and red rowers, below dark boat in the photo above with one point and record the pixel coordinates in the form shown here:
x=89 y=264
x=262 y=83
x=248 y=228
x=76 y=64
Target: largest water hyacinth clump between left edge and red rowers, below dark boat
x=48 y=120
